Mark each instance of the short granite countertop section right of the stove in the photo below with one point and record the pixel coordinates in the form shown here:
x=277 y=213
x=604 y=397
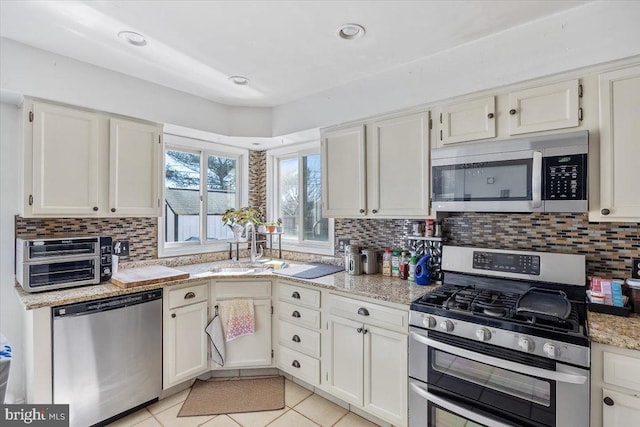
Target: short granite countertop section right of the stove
x=615 y=330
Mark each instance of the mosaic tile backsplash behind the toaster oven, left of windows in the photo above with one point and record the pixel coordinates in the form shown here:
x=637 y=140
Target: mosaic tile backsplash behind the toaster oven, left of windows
x=142 y=233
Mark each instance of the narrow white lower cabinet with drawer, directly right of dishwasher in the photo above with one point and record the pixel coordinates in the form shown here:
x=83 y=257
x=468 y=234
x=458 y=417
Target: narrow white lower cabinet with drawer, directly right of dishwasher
x=185 y=341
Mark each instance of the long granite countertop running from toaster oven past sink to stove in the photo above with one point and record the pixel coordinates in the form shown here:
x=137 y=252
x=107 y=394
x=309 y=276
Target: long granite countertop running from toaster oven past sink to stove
x=377 y=287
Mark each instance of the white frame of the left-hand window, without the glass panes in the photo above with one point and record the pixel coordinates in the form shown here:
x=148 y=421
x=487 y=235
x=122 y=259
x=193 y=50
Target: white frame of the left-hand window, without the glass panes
x=206 y=148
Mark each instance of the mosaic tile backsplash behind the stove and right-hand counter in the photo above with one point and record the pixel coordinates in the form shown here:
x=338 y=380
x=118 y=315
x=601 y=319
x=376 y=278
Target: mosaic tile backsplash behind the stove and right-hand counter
x=608 y=247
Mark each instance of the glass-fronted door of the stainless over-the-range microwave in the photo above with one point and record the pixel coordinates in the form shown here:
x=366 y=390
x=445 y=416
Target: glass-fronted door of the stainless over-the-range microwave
x=504 y=182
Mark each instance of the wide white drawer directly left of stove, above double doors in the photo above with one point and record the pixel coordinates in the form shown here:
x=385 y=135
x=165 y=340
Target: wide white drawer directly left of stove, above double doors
x=374 y=314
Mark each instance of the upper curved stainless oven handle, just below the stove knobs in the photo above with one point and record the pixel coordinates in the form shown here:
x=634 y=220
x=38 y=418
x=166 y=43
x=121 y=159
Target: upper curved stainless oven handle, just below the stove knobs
x=501 y=363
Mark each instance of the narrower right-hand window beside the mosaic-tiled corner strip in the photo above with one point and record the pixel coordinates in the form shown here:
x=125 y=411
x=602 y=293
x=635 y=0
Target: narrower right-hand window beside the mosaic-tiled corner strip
x=295 y=197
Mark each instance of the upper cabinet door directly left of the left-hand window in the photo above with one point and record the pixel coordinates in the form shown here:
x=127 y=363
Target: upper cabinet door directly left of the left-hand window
x=134 y=168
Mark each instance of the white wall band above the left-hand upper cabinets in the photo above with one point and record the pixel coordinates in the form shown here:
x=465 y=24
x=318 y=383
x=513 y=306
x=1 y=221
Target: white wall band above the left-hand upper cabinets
x=38 y=73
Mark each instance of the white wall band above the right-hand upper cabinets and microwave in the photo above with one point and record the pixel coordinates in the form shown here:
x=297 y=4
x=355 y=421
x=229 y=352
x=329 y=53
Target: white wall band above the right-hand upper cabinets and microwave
x=592 y=34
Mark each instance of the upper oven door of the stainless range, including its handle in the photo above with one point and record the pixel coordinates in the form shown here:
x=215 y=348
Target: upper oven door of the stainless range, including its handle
x=517 y=388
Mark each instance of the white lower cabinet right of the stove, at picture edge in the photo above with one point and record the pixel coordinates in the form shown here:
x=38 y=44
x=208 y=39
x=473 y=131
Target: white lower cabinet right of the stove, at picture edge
x=615 y=386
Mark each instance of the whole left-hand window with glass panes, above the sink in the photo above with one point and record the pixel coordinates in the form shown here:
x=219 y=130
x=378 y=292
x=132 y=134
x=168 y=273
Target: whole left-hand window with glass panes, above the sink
x=201 y=181
